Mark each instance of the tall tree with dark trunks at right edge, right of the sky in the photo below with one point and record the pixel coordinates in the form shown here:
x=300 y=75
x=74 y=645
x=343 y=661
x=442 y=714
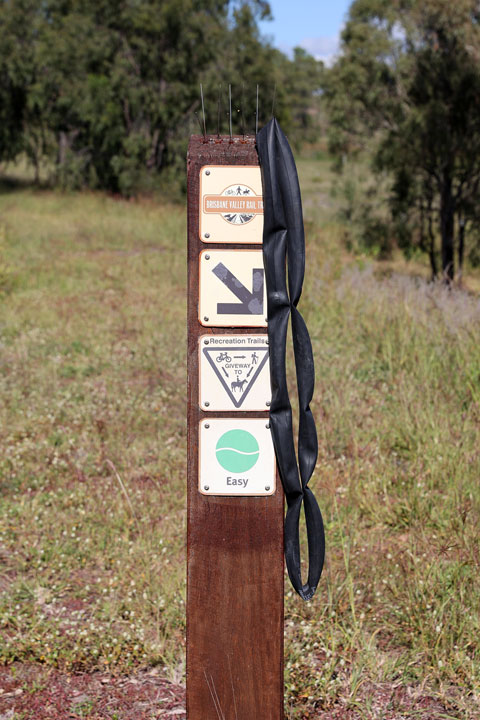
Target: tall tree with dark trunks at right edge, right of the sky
x=408 y=81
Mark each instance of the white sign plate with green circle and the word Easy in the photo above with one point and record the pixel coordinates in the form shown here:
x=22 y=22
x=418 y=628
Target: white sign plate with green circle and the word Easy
x=236 y=457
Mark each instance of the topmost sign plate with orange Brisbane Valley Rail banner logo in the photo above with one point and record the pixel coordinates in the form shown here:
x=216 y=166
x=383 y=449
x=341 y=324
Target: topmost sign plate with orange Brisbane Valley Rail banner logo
x=231 y=204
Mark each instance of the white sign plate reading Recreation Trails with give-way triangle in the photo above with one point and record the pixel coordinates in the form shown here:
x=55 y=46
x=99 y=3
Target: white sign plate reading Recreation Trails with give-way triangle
x=234 y=372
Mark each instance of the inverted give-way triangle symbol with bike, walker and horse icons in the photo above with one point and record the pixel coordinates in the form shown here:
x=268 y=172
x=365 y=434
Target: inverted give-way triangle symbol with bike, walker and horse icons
x=249 y=359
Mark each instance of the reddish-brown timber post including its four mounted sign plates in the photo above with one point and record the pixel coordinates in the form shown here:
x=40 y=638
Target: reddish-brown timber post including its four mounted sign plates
x=235 y=502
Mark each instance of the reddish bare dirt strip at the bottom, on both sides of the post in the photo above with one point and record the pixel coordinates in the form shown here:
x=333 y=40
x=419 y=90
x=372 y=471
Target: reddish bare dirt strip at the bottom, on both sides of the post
x=33 y=692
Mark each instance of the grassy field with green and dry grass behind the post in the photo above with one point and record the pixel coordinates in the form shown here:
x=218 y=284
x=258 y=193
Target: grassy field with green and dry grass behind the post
x=92 y=463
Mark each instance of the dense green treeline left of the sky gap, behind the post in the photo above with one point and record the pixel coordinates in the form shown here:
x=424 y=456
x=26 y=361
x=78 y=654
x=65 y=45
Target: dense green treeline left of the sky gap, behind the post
x=104 y=92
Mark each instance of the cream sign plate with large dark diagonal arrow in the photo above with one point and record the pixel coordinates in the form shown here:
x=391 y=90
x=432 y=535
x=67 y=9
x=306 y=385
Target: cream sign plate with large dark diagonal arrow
x=232 y=288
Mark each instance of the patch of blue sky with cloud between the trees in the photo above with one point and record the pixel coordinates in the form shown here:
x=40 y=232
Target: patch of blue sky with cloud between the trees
x=312 y=24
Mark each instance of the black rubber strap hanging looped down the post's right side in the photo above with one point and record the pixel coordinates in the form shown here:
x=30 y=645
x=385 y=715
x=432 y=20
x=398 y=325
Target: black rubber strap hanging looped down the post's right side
x=284 y=246
